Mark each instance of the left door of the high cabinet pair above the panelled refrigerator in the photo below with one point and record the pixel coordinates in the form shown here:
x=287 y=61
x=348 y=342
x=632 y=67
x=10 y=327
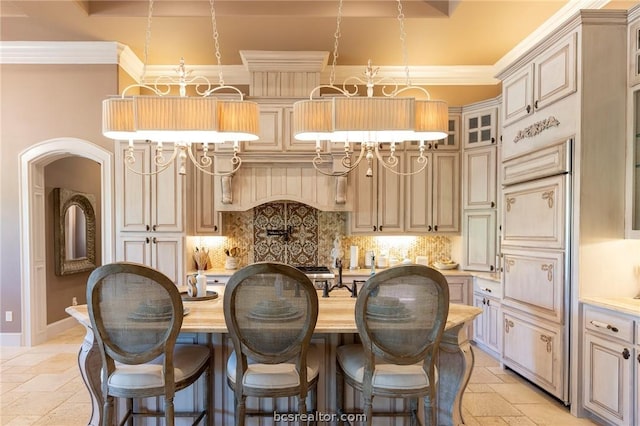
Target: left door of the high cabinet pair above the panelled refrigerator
x=517 y=95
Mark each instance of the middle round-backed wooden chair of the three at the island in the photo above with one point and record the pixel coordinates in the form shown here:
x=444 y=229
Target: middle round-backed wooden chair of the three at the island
x=271 y=311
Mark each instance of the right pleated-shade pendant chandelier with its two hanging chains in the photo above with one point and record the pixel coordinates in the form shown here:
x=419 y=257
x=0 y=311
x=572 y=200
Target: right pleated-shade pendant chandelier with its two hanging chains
x=370 y=120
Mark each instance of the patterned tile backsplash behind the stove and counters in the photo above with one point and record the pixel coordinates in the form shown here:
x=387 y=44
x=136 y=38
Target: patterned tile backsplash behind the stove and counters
x=261 y=234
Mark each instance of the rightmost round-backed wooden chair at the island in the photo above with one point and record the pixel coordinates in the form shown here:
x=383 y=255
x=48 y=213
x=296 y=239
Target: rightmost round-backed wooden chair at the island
x=400 y=314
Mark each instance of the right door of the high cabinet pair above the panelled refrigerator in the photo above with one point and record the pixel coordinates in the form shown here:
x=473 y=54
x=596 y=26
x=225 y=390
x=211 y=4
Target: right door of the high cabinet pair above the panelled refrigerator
x=555 y=73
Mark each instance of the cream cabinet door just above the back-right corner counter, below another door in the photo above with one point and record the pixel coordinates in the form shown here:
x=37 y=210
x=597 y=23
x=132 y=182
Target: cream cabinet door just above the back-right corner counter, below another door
x=479 y=240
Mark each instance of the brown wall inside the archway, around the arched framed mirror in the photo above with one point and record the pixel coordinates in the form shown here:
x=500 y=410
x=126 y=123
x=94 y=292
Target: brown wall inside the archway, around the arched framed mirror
x=82 y=175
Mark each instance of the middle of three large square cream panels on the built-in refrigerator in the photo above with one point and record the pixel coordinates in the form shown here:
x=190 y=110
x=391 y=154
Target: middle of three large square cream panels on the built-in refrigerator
x=534 y=282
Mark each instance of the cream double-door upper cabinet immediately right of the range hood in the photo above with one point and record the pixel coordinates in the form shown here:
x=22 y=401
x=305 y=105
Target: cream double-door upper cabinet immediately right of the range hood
x=378 y=200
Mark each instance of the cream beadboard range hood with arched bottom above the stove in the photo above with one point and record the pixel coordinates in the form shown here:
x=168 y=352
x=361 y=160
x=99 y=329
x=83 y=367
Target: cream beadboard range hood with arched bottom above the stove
x=280 y=178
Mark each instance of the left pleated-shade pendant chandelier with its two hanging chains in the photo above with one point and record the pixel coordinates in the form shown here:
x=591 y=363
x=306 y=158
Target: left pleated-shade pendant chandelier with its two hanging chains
x=182 y=120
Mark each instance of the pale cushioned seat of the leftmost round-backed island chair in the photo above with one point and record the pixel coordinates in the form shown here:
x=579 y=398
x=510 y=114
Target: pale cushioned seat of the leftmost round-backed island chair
x=187 y=361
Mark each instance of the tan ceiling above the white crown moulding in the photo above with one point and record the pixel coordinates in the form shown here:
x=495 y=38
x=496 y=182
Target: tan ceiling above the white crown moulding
x=459 y=33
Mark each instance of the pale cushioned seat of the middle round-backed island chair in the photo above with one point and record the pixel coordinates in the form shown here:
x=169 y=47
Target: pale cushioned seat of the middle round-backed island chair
x=275 y=376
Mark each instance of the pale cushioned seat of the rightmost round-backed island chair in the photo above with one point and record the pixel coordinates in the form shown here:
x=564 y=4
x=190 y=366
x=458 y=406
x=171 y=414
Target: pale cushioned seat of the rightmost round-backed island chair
x=385 y=376
